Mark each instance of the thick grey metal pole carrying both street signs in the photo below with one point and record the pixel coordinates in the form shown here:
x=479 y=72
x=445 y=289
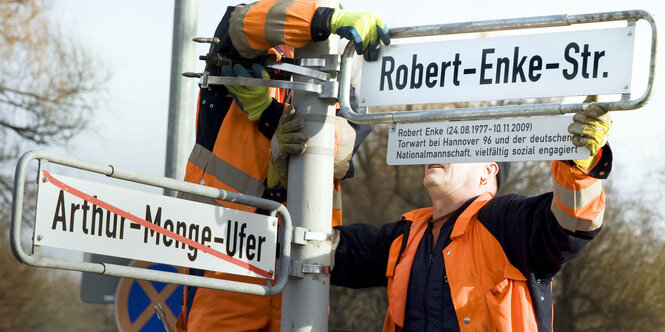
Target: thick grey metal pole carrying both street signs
x=305 y=298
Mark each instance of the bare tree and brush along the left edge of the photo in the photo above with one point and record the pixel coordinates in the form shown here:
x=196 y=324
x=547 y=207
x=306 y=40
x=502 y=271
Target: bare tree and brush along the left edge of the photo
x=47 y=86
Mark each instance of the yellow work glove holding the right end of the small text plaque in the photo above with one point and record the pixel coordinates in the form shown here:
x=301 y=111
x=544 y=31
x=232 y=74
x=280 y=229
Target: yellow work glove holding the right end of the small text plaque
x=589 y=129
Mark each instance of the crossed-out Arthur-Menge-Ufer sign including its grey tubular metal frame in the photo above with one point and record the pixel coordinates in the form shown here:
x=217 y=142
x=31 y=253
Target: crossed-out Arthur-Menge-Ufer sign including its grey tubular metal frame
x=91 y=217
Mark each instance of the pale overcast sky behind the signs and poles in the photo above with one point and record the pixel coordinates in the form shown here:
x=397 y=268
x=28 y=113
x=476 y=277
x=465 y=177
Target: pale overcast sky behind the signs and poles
x=133 y=41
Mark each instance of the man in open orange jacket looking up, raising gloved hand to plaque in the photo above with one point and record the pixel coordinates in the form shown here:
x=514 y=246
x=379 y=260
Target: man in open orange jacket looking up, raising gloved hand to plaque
x=475 y=262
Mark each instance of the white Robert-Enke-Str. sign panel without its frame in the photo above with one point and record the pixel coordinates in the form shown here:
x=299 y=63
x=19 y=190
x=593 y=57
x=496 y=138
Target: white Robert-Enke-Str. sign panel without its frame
x=572 y=63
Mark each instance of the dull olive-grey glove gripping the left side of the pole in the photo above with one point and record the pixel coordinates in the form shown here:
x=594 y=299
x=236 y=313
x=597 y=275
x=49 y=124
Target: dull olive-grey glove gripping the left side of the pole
x=287 y=141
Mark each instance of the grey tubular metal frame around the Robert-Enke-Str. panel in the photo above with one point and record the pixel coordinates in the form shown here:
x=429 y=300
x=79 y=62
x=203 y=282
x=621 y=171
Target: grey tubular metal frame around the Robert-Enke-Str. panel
x=475 y=113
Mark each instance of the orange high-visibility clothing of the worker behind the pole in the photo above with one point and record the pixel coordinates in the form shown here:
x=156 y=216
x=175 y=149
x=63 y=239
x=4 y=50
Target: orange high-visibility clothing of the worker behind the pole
x=232 y=152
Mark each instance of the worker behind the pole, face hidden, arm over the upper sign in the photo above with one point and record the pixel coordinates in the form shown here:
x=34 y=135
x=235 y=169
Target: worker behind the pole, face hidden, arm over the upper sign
x=245 y=134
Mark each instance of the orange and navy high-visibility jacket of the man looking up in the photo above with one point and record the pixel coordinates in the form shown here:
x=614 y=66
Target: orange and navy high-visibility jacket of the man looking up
x=502 y=255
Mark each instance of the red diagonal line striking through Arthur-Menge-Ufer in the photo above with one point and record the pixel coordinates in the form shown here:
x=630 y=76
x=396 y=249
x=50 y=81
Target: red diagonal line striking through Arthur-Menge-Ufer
x=154 y=227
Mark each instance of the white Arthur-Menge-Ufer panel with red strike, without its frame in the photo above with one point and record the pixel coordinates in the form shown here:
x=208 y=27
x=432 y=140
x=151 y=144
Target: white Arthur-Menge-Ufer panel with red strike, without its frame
x=103 y=219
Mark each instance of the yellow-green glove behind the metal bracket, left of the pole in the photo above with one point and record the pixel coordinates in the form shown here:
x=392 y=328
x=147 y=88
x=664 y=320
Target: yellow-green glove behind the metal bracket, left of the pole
x=253 y=100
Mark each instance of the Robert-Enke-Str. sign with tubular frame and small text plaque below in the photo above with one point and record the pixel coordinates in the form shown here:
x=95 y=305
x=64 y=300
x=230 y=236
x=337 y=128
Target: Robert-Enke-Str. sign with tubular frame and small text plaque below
x=518 y=66
